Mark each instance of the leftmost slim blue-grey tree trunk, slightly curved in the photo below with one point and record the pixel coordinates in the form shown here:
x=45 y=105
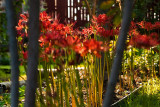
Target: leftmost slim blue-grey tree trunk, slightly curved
x=11 y=23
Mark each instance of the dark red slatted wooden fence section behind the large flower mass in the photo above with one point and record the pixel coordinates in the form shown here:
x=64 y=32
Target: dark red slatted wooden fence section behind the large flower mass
x=68 y=11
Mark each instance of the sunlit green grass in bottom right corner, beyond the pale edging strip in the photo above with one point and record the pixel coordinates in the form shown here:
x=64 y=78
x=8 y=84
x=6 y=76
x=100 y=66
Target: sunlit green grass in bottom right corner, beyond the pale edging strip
x=148 y=96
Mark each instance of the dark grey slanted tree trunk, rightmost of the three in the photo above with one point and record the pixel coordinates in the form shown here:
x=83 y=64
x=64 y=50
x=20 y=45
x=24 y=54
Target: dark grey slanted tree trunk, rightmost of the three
x=127 y=10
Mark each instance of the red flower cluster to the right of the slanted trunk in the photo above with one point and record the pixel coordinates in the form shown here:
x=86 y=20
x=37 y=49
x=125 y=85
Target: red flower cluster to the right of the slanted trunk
x=144 y=40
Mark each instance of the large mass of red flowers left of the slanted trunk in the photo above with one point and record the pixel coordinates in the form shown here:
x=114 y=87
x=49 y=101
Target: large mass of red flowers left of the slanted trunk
x=55 y=38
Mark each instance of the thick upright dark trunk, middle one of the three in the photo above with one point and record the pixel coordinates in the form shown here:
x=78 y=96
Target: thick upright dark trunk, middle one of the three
x=32 y=70
